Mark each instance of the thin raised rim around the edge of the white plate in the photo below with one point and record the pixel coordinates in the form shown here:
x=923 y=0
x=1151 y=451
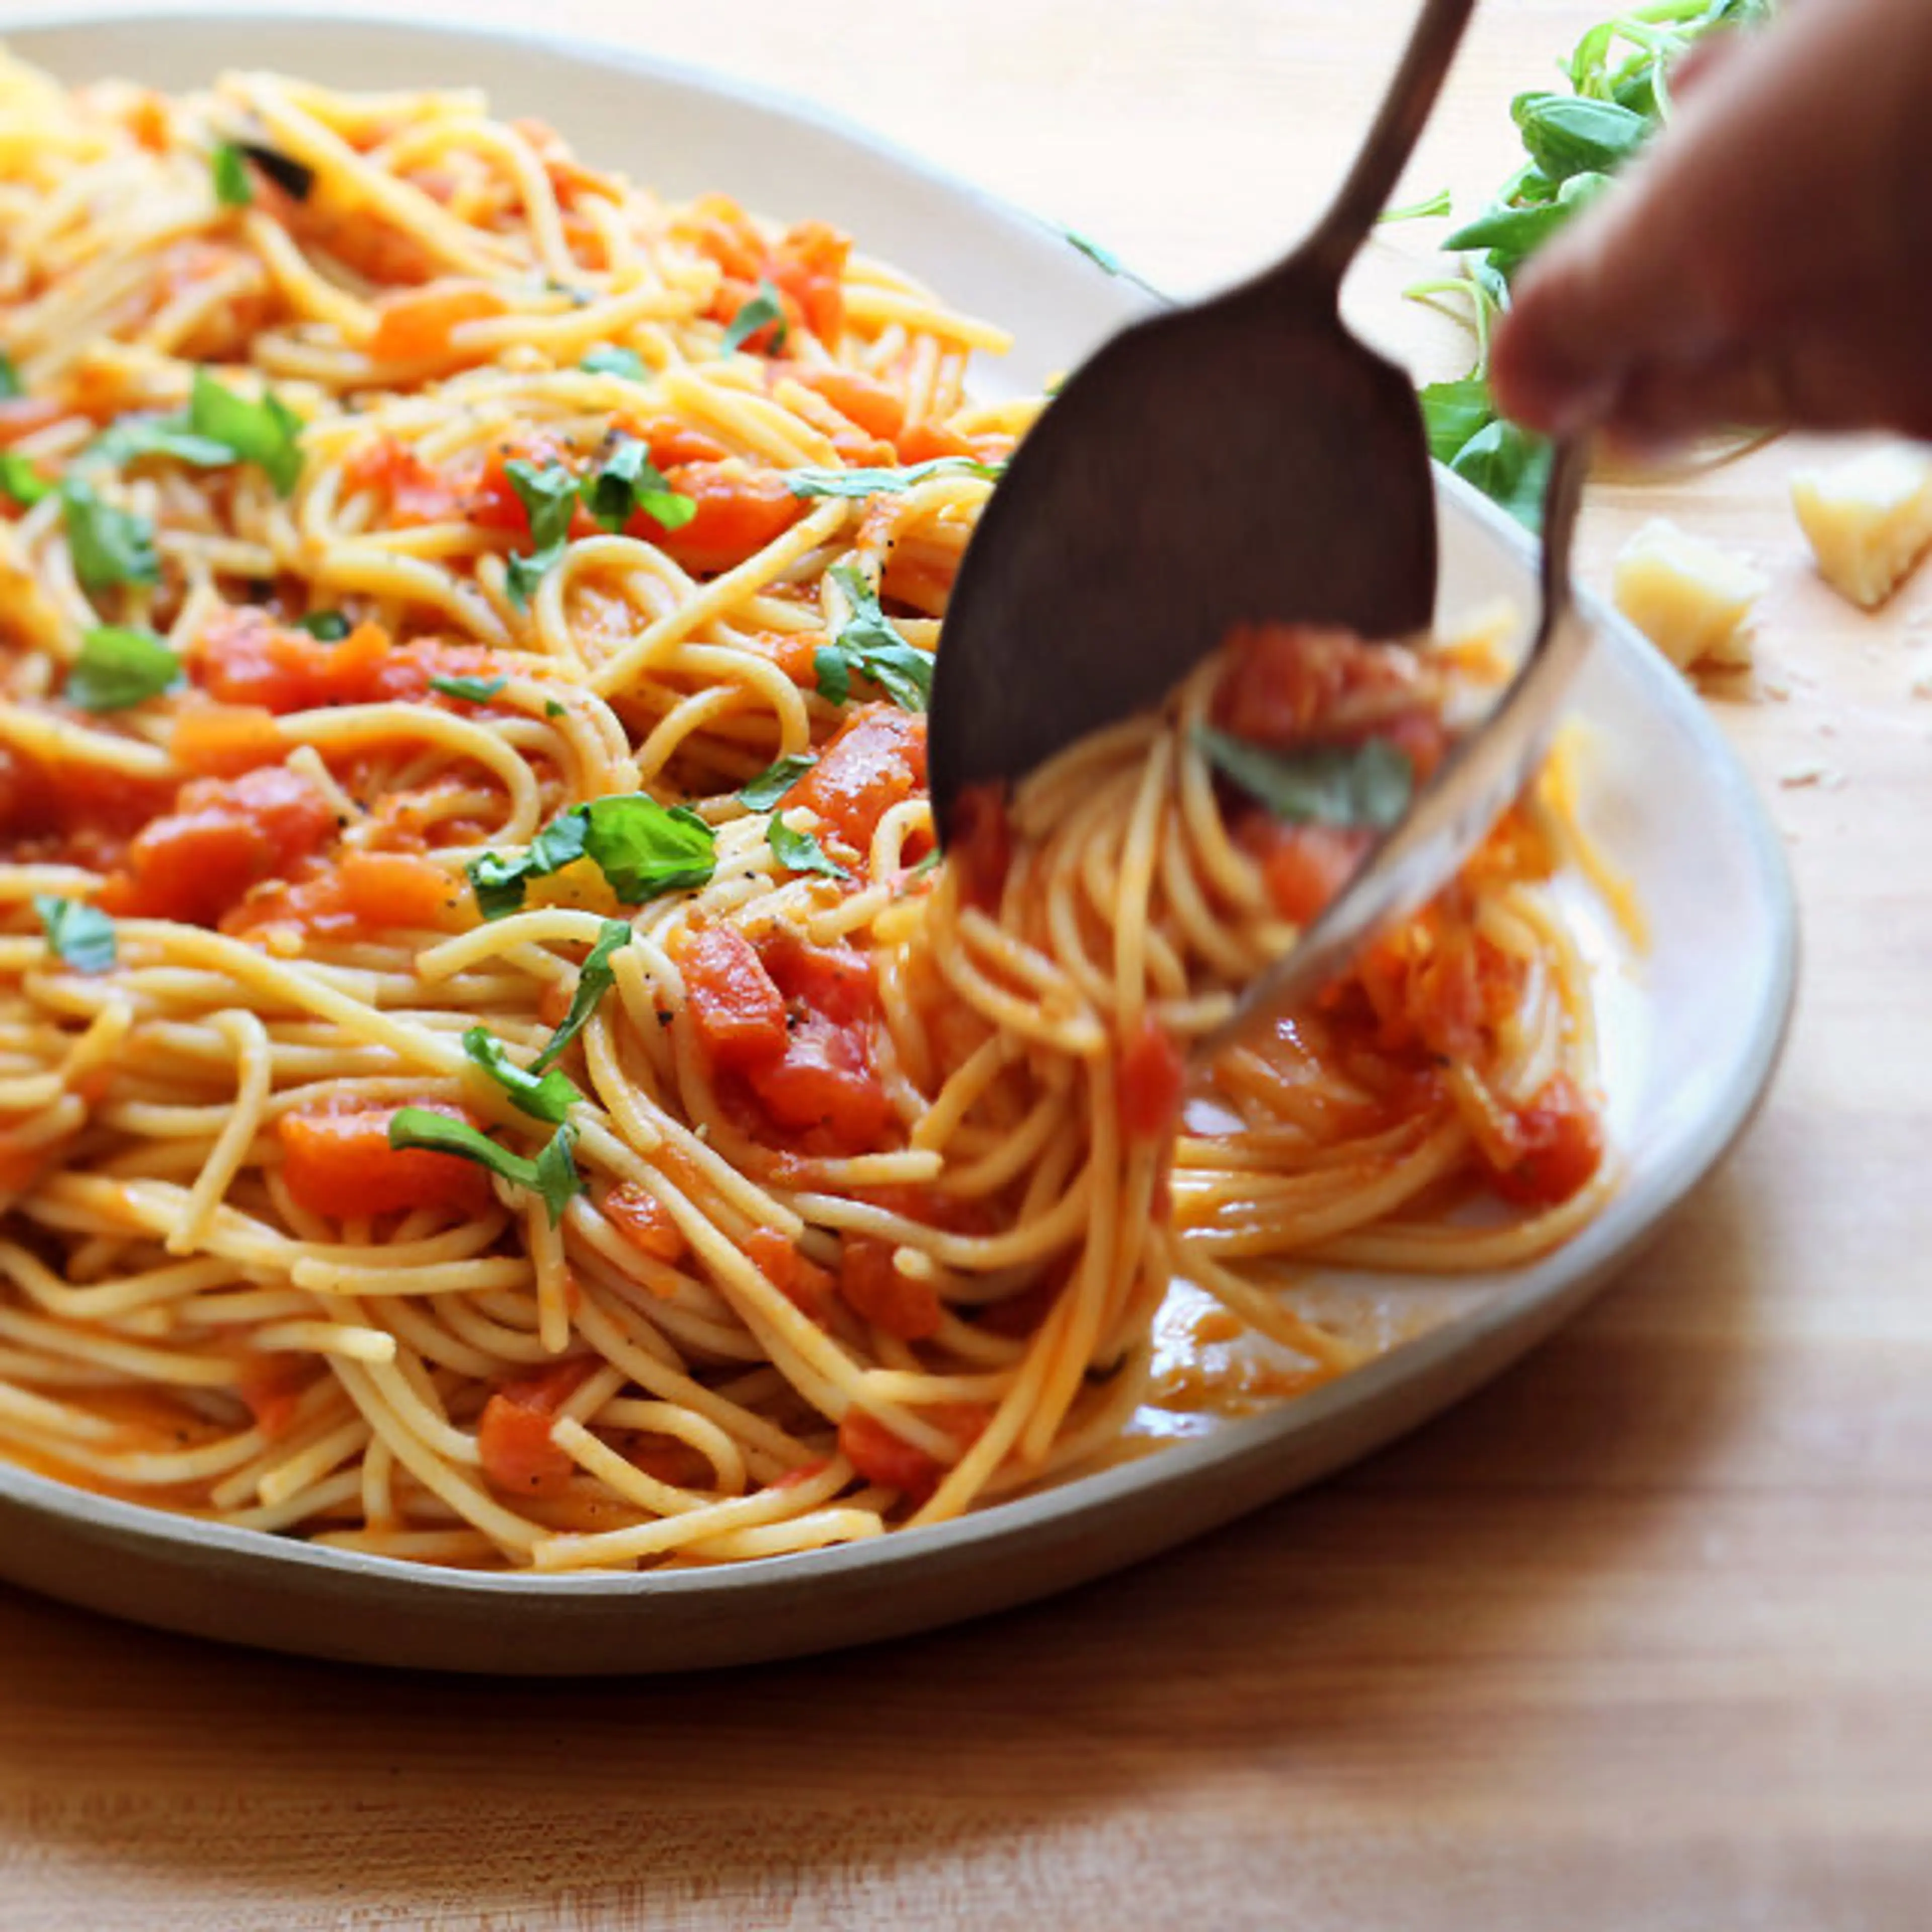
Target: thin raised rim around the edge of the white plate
x=1174 y=1463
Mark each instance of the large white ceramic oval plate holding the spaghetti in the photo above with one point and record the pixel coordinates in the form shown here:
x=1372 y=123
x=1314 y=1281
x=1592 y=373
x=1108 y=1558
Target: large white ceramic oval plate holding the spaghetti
x=1691 y=1031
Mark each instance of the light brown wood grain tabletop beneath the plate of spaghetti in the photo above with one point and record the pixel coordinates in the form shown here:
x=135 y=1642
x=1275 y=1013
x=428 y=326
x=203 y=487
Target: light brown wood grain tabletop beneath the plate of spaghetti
x=1637 y=1639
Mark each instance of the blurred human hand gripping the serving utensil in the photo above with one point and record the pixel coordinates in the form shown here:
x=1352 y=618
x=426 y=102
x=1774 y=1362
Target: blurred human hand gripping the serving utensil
x=1769 y=262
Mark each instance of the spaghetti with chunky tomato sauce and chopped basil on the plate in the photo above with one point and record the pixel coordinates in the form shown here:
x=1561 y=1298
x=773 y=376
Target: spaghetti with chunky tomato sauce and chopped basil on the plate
x=494 y=1069
